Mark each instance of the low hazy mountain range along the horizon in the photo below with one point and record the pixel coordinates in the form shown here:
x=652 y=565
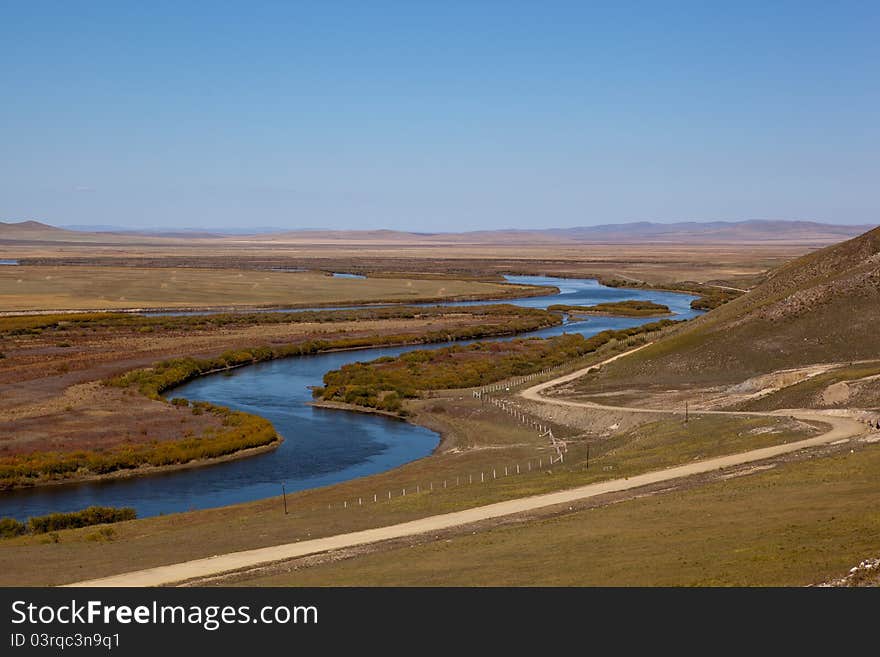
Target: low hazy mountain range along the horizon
x=692 y=232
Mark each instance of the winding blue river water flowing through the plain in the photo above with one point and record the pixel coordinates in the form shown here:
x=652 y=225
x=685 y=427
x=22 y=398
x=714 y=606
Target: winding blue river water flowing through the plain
x=321 y=446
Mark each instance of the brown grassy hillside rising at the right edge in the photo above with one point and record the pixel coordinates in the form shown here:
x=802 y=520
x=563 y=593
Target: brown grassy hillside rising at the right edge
x=822 y=307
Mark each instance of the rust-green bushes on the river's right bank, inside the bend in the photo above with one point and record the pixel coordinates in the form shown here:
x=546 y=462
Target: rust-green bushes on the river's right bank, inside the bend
x=385 y=382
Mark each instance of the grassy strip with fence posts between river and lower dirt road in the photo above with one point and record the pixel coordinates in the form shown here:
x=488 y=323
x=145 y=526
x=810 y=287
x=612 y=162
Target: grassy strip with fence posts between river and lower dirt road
x=477 y=438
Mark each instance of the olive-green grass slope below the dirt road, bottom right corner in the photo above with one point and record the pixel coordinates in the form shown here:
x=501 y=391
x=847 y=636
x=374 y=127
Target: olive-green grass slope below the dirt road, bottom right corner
x=795 y=525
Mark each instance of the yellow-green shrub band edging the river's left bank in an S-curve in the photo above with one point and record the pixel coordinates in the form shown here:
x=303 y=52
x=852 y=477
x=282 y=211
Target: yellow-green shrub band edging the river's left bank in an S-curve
x=238 y=431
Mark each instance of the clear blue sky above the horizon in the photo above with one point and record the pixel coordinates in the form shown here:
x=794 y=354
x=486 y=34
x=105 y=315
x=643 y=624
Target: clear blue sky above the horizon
x=439 y=115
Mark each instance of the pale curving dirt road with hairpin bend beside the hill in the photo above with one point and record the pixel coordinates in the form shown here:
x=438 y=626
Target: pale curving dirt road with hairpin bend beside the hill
x=841 y=428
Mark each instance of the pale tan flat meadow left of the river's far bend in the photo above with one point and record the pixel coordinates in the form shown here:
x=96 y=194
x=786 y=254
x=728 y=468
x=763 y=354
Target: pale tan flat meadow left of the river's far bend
x=88 y=288
